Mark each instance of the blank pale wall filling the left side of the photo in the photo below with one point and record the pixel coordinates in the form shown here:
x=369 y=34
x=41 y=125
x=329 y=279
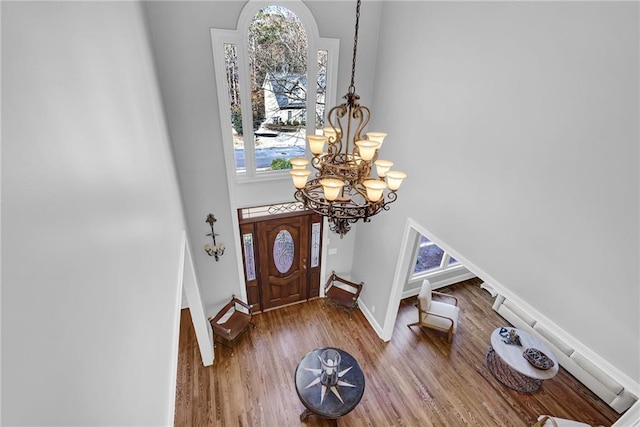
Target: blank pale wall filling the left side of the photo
x=91 y=220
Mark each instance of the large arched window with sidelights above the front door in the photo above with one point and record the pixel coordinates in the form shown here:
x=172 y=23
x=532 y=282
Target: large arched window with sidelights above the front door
x=273 y=76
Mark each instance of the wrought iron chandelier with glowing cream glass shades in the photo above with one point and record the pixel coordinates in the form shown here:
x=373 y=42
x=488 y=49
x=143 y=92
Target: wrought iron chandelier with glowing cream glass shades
x=343 y=189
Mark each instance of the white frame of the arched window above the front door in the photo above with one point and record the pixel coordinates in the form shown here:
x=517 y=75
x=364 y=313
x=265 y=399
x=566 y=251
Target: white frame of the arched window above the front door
x=238 y=37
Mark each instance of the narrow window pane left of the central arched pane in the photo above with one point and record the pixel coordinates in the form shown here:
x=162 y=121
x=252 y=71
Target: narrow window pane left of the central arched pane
x=233 y=93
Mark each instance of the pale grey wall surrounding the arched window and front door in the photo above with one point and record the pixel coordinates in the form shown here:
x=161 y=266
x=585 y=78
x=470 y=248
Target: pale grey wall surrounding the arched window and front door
x=182 y=49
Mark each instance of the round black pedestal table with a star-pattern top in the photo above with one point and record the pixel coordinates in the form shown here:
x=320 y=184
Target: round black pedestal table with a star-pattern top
x=328 y=402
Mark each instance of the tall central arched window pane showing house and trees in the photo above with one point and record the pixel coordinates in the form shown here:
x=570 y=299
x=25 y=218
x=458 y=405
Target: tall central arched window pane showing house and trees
x=278 y=70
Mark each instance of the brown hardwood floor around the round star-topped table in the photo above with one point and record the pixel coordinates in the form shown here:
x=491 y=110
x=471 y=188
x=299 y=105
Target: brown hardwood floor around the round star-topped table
x=415 y=379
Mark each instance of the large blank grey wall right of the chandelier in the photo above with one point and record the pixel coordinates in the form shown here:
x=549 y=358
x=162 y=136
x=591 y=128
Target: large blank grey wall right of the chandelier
x=524 y=117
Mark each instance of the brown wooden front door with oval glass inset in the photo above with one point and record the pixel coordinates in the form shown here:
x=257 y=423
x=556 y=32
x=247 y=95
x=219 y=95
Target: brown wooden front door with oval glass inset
x=283 y=252
